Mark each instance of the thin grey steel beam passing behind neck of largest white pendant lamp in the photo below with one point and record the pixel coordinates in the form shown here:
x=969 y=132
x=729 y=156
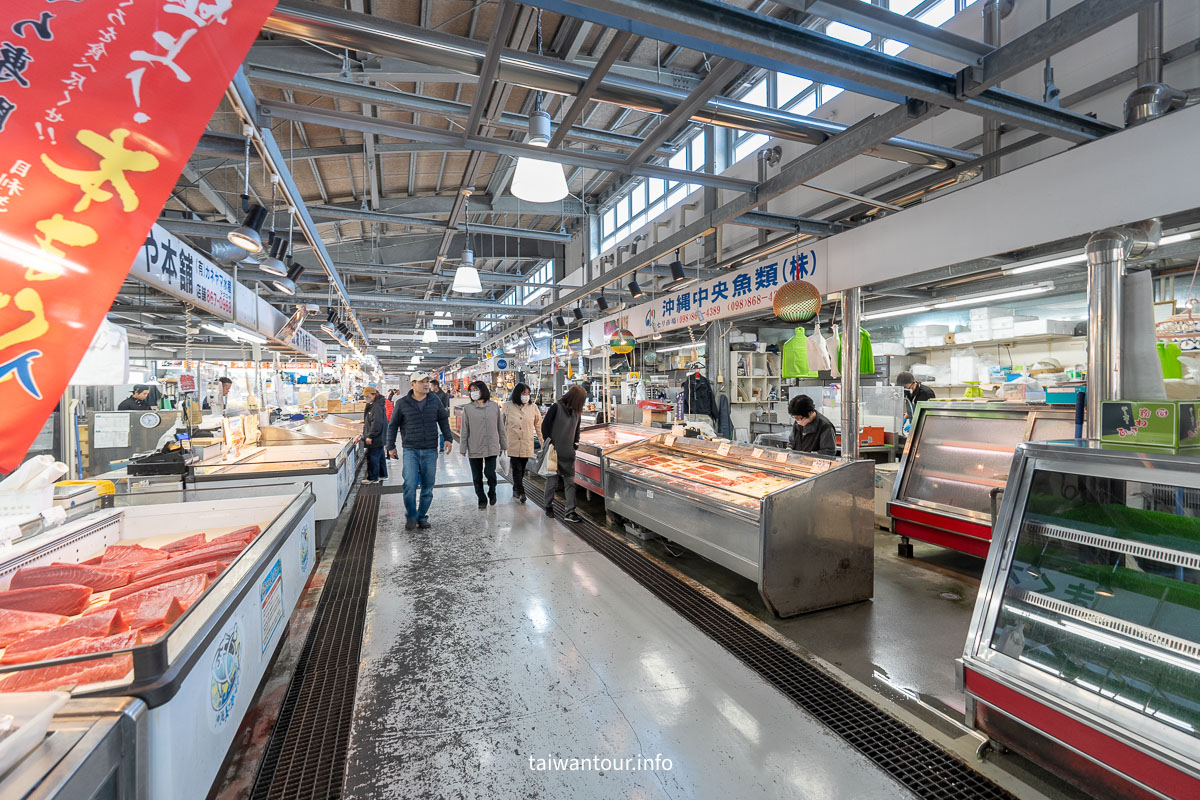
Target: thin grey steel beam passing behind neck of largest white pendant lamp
x=345 y=121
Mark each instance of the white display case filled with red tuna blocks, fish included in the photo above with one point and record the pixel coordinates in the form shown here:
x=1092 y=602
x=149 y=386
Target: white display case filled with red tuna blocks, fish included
x=189 y=593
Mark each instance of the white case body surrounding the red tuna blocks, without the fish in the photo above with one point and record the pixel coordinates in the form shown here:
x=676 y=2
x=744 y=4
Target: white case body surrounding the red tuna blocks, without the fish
x=199 y=673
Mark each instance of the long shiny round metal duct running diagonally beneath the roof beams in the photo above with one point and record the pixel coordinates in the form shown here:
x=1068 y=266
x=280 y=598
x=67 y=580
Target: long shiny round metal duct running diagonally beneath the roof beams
x=346 y=29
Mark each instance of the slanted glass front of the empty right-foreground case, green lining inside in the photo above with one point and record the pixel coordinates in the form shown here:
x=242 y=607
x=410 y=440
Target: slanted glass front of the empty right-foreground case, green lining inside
x=1103 y=592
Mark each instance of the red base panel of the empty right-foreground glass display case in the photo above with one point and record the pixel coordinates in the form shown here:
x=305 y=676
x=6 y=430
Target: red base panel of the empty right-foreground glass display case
x=1126 y=761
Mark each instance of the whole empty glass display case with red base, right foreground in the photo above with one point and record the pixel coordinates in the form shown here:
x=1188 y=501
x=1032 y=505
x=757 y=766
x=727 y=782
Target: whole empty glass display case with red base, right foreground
x=1084 y=651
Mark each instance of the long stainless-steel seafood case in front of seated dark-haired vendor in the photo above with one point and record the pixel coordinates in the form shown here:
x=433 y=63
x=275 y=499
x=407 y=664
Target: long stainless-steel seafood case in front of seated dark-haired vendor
x=800 y=526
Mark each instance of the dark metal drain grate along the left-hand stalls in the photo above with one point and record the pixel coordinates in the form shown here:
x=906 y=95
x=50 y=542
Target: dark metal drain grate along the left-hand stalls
x=305 y=757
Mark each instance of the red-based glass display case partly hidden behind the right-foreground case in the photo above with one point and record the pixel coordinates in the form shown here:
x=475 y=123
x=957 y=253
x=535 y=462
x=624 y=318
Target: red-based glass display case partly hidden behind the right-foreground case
x=956 y=468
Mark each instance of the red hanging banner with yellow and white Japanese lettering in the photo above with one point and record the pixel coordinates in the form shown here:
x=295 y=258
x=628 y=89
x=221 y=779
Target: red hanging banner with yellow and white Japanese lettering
x=101 y=105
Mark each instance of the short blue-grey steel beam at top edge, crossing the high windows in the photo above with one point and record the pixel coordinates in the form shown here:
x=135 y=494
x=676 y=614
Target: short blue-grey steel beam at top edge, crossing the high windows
x=889 y=25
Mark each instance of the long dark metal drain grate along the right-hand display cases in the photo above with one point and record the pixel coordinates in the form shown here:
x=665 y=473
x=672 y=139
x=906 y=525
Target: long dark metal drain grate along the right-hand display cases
x=916 y=762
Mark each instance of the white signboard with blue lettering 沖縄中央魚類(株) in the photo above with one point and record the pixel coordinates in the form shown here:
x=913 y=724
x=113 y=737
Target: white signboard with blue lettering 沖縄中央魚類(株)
x=748 y=291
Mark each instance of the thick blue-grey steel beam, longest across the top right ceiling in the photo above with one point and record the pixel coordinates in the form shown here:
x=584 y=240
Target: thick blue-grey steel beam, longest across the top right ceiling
x=721 y=29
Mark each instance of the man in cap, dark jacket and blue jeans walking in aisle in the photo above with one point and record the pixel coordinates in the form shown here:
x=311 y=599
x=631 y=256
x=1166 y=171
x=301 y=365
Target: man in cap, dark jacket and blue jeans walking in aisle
x=418 y=417
